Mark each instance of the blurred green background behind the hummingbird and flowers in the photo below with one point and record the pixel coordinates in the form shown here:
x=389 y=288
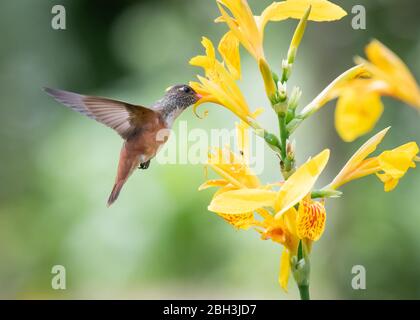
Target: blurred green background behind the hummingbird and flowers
x=159 y=240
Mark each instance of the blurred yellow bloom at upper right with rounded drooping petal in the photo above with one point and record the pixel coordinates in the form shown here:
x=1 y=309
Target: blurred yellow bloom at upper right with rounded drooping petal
x=359 y=91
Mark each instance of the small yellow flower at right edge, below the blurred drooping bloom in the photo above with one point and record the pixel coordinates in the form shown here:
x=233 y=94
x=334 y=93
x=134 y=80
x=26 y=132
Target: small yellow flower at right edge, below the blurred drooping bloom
x=389 y=166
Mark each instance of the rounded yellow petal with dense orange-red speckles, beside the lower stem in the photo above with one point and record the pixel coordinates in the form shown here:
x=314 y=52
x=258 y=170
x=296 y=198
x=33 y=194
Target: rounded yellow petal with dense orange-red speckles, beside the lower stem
x=310 y=220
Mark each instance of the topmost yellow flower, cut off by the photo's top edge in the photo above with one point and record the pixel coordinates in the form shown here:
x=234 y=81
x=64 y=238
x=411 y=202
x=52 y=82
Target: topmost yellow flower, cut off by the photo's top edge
x=249 y=30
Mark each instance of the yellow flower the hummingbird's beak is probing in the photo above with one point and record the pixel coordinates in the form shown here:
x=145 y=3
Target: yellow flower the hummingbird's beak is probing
x=219 y=85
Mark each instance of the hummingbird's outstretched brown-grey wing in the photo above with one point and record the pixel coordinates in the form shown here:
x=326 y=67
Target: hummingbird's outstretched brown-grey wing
x=123 y=117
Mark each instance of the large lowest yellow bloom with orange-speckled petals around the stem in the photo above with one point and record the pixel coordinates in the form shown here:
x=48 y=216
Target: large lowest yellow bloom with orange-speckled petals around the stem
x=241 y=197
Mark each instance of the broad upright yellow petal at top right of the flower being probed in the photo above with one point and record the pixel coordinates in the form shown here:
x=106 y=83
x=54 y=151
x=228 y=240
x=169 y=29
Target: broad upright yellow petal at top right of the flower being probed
x=229 y=50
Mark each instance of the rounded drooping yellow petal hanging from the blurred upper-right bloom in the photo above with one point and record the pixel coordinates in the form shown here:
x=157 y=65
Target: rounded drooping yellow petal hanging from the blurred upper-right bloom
x=357 y=111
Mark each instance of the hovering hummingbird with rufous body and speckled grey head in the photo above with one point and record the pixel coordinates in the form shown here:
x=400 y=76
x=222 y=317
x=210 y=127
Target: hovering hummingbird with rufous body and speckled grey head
x=143 y=129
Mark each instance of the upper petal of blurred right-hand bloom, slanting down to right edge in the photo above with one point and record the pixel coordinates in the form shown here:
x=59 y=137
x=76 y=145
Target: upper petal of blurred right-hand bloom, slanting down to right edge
x=395 y=72
